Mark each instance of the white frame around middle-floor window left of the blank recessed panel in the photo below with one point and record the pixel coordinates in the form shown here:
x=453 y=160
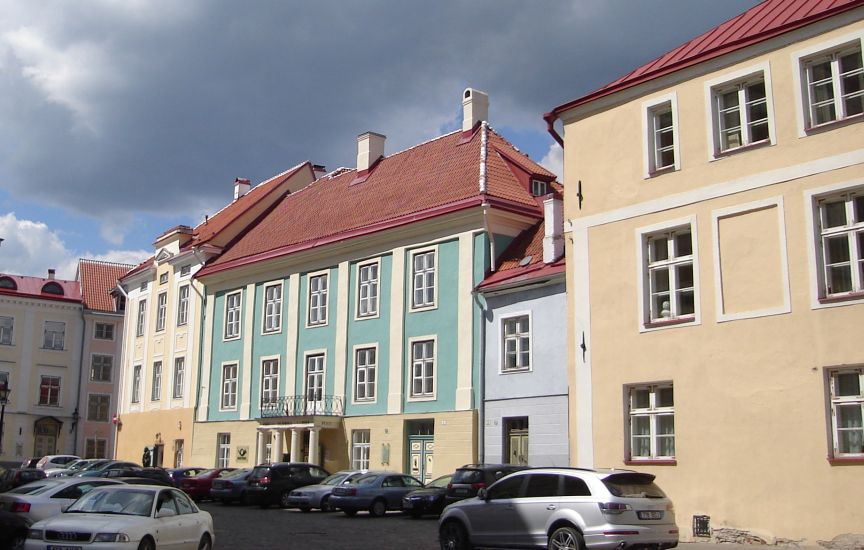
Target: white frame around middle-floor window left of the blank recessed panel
x=646 y=324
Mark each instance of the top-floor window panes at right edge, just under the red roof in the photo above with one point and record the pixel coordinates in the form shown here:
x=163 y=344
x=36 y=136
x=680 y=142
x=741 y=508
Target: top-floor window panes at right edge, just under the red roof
x=833 y=83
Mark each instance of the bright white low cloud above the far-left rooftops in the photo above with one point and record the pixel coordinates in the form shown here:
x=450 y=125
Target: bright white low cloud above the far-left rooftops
x=31 y=248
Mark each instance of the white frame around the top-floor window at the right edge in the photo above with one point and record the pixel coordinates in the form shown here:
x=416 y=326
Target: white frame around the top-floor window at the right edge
x=800 y=59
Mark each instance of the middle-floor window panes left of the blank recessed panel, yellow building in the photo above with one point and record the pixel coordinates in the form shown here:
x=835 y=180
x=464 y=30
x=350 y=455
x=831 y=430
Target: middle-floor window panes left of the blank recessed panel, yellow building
x=668 y=257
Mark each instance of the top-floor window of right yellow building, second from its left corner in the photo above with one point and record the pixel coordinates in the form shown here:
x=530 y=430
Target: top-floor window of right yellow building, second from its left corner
x=740 y=111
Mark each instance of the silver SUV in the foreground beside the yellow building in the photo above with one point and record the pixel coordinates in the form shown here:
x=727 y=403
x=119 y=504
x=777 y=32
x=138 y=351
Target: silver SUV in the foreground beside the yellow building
x=563 y=509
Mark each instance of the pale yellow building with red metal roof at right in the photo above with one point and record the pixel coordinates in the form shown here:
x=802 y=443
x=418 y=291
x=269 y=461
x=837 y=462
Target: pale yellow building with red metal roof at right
x=715 y=217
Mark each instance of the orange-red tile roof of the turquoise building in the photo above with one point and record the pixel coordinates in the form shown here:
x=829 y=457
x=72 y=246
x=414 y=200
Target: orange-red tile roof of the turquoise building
x=427 y=180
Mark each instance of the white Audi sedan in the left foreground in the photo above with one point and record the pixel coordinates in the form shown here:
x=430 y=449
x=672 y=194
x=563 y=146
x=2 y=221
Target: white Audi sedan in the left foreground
x=142 y=517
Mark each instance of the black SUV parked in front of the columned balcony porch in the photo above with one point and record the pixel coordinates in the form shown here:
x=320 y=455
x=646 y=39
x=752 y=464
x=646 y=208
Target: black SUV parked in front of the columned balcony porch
x=273 y=483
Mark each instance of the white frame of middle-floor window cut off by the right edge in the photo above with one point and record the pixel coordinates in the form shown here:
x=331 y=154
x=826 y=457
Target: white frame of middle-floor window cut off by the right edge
x=819 y=298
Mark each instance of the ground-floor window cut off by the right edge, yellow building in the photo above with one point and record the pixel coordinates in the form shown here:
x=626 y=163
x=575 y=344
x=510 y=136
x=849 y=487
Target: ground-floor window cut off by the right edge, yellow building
x=847 y=412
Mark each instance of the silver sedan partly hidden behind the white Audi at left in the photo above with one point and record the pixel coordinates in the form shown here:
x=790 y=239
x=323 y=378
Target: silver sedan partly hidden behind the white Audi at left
x=44 y=498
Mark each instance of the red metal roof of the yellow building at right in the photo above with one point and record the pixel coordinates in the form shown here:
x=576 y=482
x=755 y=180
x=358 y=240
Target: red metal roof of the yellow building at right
x=764 y=21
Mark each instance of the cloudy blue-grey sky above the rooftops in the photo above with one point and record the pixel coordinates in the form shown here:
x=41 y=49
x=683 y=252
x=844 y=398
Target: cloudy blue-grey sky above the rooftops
x=123 y=118
